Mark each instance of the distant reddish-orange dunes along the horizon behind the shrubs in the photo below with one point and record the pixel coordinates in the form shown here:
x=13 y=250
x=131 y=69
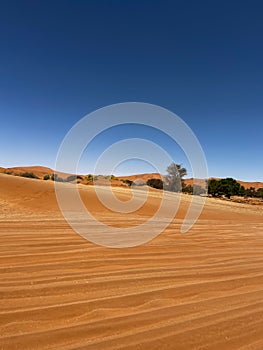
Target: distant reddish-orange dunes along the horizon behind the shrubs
x=41 y=171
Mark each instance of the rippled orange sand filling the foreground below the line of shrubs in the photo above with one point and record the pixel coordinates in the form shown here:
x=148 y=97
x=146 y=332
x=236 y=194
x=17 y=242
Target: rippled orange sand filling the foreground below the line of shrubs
x=201 y=290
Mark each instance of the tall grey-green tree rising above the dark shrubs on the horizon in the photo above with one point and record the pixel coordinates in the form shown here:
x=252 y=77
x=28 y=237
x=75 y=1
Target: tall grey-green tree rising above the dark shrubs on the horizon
x=173 y=179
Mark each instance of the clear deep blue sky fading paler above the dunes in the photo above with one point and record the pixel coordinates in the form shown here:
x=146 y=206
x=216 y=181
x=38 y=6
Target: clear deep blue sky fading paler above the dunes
x=201 y=59
